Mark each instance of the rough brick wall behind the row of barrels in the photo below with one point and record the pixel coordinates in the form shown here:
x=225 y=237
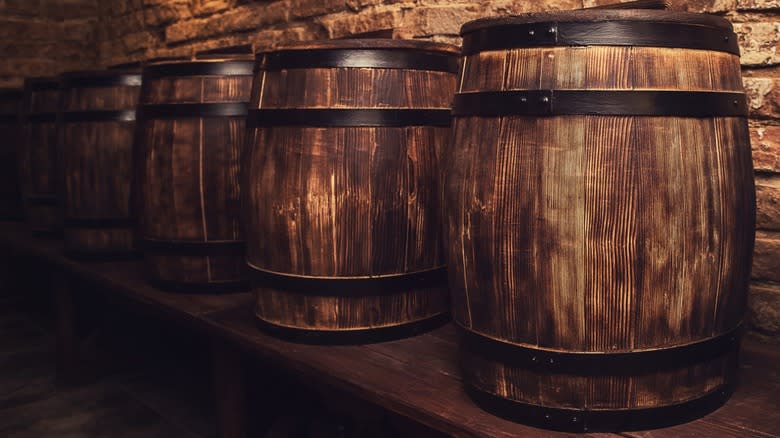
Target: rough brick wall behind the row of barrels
x=67 y=34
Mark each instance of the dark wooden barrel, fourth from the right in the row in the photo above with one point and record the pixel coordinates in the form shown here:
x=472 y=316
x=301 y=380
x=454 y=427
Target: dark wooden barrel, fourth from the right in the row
x=97 y=123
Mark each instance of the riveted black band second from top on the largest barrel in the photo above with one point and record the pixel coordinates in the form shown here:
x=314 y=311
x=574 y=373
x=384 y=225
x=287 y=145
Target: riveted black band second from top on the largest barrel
x=597 y=102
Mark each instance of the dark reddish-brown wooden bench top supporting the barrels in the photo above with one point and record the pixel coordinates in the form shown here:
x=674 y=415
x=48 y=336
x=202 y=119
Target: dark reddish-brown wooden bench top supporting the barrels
x=416 y=377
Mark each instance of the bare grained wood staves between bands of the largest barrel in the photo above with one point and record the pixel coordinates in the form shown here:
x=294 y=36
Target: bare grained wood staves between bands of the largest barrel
x=599 y=233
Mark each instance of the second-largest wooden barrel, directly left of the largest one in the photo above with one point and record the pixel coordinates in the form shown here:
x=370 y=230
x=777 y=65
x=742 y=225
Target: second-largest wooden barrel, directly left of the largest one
x=341 y=184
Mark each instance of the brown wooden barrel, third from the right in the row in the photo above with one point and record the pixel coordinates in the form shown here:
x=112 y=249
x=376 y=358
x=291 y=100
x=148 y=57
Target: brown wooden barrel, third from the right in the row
x=190 y=133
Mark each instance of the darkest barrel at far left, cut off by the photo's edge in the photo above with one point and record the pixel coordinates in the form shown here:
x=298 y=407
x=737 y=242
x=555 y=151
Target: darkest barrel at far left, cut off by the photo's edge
x=10 y=135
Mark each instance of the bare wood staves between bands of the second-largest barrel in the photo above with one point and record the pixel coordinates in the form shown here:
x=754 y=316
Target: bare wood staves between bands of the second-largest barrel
x=334 y=202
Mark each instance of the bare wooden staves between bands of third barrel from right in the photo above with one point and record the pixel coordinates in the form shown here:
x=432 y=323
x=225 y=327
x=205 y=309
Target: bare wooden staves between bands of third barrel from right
x=188 y=177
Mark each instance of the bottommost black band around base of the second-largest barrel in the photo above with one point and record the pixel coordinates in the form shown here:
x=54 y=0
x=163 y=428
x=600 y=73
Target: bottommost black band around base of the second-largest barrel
x=360 y=336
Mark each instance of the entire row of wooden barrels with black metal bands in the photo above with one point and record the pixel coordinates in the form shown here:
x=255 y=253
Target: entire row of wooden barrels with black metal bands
x=593 y=198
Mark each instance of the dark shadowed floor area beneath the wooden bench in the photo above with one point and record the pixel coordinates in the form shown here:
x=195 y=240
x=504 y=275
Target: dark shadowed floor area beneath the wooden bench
x=146 y=378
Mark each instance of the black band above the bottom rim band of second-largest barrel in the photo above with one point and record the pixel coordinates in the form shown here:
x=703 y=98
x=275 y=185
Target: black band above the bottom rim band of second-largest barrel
x=349 y=286
